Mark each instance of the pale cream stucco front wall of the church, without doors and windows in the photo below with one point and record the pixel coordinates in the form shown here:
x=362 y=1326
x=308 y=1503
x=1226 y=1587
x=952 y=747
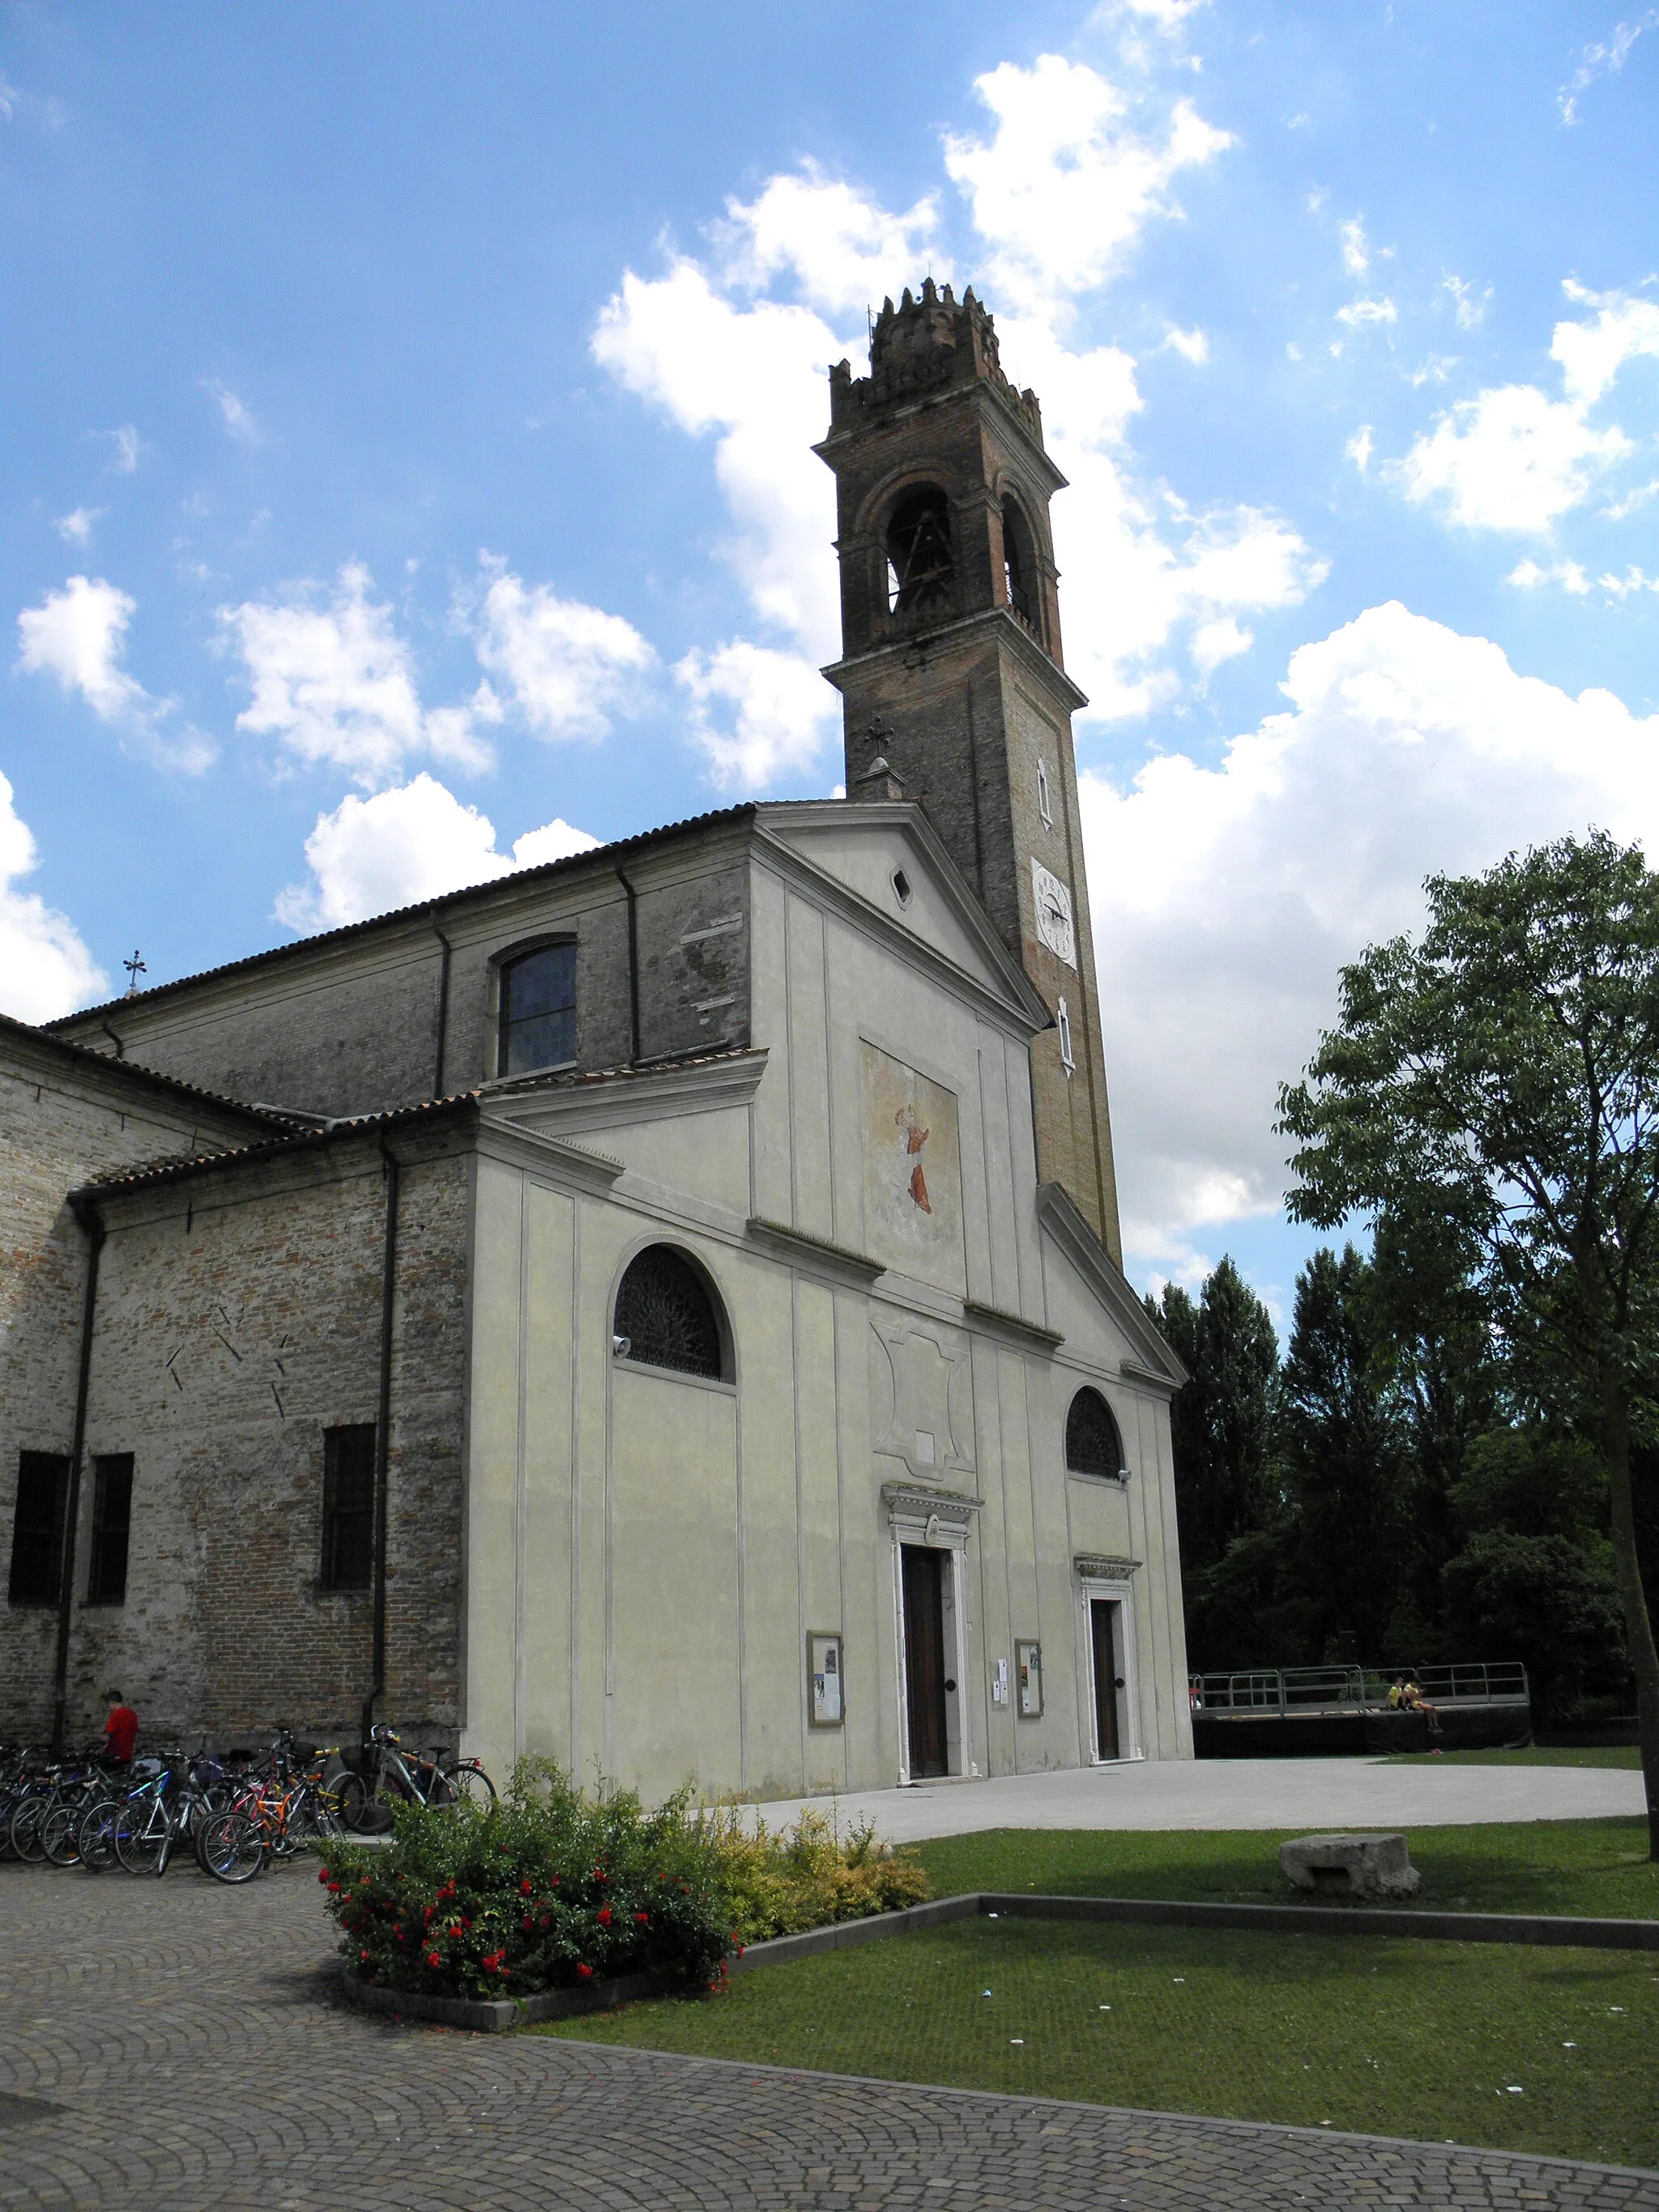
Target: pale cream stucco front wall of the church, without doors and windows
x=647 y=1554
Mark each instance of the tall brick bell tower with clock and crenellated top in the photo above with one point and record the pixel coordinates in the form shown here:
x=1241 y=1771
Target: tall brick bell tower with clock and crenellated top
x=952 y=680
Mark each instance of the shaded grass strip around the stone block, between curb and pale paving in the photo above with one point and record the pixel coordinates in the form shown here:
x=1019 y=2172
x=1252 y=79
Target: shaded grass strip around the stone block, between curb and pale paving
x=1594 y=1868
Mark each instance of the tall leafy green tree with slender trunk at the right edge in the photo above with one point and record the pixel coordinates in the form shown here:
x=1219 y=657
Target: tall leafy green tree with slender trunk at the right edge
x=1501 y=1078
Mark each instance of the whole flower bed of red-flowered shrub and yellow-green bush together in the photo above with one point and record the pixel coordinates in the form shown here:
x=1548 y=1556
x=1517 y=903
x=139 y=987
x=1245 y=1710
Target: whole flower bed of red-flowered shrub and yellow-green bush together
x=554 y=1890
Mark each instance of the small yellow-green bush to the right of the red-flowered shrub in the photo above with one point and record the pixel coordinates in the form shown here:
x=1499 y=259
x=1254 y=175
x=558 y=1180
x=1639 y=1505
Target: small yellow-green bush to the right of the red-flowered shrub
x=808 y=1877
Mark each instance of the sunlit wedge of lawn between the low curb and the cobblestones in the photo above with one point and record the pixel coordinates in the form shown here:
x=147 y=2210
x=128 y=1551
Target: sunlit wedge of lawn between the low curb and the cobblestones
x=1388 y=2036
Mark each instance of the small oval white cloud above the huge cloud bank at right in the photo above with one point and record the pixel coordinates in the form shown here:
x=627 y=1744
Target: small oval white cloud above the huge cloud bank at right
x=1510 y=459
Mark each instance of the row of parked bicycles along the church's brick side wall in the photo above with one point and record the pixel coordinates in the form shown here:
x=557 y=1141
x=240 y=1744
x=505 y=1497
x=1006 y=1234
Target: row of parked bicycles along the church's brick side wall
x=233 y=1813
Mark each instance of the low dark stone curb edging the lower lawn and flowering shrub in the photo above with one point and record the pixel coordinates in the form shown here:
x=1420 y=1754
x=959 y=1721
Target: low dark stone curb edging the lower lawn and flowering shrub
x=494 y=2016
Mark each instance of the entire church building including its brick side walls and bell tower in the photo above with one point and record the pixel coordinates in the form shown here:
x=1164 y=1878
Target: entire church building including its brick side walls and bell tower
x=660 y=1311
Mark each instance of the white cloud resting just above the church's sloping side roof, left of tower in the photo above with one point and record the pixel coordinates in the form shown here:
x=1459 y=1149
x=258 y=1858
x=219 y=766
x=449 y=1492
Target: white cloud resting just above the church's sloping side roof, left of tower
x=401 y=846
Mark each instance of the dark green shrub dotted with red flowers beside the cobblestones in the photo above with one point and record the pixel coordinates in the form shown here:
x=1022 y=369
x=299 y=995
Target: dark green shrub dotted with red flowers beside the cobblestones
x=550 y=1890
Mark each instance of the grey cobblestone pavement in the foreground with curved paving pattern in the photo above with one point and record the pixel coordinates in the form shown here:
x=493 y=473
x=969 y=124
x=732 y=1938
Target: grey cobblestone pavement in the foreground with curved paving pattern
x=174 y=2047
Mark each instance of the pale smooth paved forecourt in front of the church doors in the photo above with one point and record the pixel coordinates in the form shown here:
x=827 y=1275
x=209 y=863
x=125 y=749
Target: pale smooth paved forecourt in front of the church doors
x=1235 y=1793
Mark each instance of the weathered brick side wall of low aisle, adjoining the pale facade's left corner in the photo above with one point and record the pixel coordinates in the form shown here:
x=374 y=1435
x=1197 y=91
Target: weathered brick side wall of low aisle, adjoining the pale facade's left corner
x=238 y=1319
